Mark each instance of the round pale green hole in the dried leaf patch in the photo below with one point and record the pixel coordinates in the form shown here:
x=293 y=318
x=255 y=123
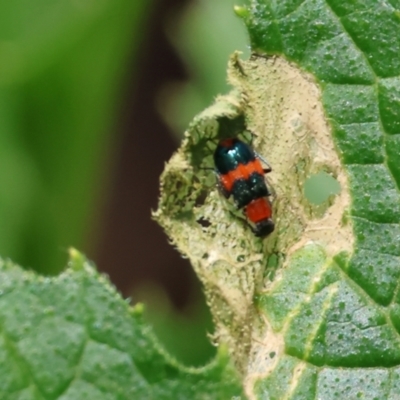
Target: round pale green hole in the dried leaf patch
x=318 y=187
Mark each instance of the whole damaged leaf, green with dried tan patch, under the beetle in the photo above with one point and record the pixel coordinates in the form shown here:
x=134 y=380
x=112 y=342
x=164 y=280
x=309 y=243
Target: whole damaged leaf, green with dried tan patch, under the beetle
x=314 y=310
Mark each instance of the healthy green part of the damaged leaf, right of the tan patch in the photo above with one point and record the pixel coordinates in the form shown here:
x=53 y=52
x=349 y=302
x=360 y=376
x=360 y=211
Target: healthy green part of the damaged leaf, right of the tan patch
x=352 y=49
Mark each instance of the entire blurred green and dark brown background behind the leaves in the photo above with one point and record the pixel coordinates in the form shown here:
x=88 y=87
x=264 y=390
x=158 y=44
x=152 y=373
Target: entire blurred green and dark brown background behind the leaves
x=94 y=97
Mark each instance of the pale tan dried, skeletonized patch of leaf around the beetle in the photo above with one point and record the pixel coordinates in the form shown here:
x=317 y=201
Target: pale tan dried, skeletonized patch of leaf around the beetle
x=282 y=106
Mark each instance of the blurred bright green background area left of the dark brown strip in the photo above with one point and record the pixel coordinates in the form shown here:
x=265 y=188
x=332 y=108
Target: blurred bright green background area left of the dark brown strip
x=62 y=64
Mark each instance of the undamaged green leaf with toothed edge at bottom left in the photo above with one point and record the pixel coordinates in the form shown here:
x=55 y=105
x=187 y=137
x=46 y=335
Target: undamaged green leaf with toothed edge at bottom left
x=74 y=337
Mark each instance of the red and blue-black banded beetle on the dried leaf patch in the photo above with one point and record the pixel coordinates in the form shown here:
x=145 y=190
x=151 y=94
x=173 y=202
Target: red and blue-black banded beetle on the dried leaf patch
x=241 y=175
